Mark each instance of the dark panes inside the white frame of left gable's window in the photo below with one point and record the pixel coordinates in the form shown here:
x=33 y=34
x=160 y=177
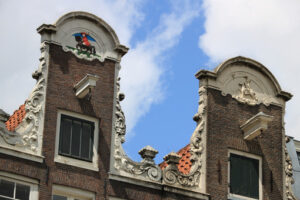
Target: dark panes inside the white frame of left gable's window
x=76 y=138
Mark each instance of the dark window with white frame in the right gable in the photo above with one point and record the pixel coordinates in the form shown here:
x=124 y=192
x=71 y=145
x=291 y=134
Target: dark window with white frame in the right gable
x=244 y=176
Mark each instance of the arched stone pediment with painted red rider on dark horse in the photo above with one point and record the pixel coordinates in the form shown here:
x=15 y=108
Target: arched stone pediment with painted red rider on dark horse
x=85 y=35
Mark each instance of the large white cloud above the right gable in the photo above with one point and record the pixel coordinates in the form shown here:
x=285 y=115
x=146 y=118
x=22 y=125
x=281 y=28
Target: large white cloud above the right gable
x=267 y=31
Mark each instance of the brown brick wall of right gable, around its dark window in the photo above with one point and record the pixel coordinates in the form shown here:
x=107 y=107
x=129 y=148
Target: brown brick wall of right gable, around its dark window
x=225 y=115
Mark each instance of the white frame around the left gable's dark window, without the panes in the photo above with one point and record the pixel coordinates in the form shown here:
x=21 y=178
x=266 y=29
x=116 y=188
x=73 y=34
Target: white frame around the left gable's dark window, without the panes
x=73 y=161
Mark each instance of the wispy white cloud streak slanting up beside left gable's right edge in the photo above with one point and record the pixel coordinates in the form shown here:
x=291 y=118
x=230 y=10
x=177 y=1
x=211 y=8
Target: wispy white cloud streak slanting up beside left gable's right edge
x=143 y=66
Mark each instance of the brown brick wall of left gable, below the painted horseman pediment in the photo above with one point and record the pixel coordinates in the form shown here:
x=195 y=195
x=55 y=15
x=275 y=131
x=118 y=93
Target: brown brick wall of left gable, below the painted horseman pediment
x=65 y=70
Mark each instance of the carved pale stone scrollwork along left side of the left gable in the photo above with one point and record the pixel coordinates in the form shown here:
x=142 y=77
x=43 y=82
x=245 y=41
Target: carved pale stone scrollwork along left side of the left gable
x=27 y=136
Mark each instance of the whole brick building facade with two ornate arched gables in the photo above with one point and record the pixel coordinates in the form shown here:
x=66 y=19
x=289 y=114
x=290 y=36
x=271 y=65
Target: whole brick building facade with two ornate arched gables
x=65 y=142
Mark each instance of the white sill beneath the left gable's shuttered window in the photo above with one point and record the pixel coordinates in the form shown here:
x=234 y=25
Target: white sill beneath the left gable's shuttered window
x=77 y=163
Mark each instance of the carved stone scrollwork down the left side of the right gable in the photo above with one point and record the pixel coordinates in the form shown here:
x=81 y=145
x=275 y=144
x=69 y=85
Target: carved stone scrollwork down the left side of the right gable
x=171 y=174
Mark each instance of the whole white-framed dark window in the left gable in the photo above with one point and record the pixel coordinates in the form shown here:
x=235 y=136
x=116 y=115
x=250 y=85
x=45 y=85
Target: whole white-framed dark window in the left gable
x=76 y=140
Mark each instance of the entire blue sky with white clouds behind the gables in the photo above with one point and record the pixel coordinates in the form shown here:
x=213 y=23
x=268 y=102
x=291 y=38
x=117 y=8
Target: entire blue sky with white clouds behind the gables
x=169 y=42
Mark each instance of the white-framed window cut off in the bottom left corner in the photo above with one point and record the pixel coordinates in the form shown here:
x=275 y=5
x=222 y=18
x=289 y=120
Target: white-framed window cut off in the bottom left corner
x=18 y=189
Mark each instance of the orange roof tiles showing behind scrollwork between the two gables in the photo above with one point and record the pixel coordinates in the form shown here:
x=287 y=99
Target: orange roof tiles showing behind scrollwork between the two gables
x=185 y=164
